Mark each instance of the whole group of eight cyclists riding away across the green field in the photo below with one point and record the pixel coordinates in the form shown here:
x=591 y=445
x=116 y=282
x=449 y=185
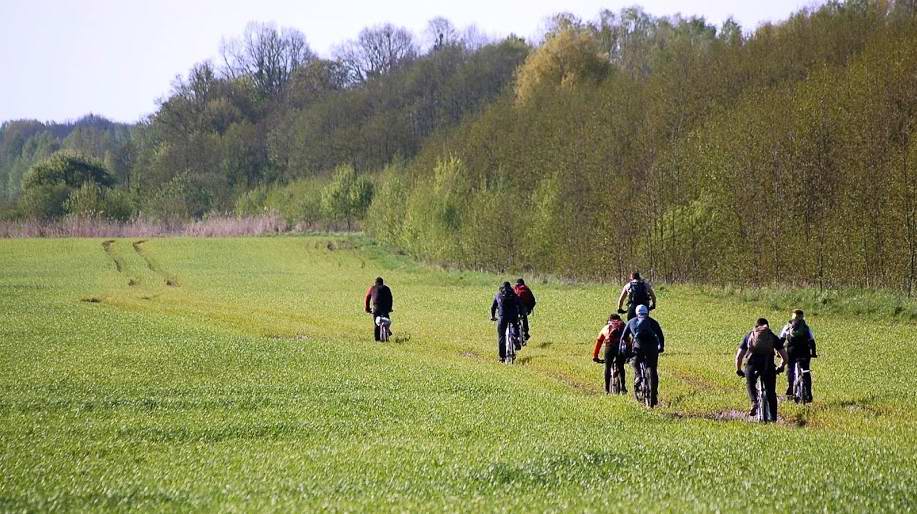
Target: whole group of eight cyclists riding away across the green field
x=640 y=339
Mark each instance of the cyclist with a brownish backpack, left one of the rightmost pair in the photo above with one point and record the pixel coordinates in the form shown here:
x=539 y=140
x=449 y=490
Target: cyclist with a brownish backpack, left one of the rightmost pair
x=759 y=347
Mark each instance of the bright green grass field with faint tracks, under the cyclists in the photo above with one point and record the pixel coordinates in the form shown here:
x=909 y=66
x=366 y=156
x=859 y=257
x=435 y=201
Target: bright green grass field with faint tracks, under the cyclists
x=239 y=375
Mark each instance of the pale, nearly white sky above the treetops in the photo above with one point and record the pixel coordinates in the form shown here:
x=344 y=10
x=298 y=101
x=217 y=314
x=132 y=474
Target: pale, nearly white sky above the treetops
x=61 y=59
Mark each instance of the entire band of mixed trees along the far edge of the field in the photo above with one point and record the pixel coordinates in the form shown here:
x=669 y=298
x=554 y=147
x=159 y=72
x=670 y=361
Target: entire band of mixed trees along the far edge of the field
x=691 y=151
